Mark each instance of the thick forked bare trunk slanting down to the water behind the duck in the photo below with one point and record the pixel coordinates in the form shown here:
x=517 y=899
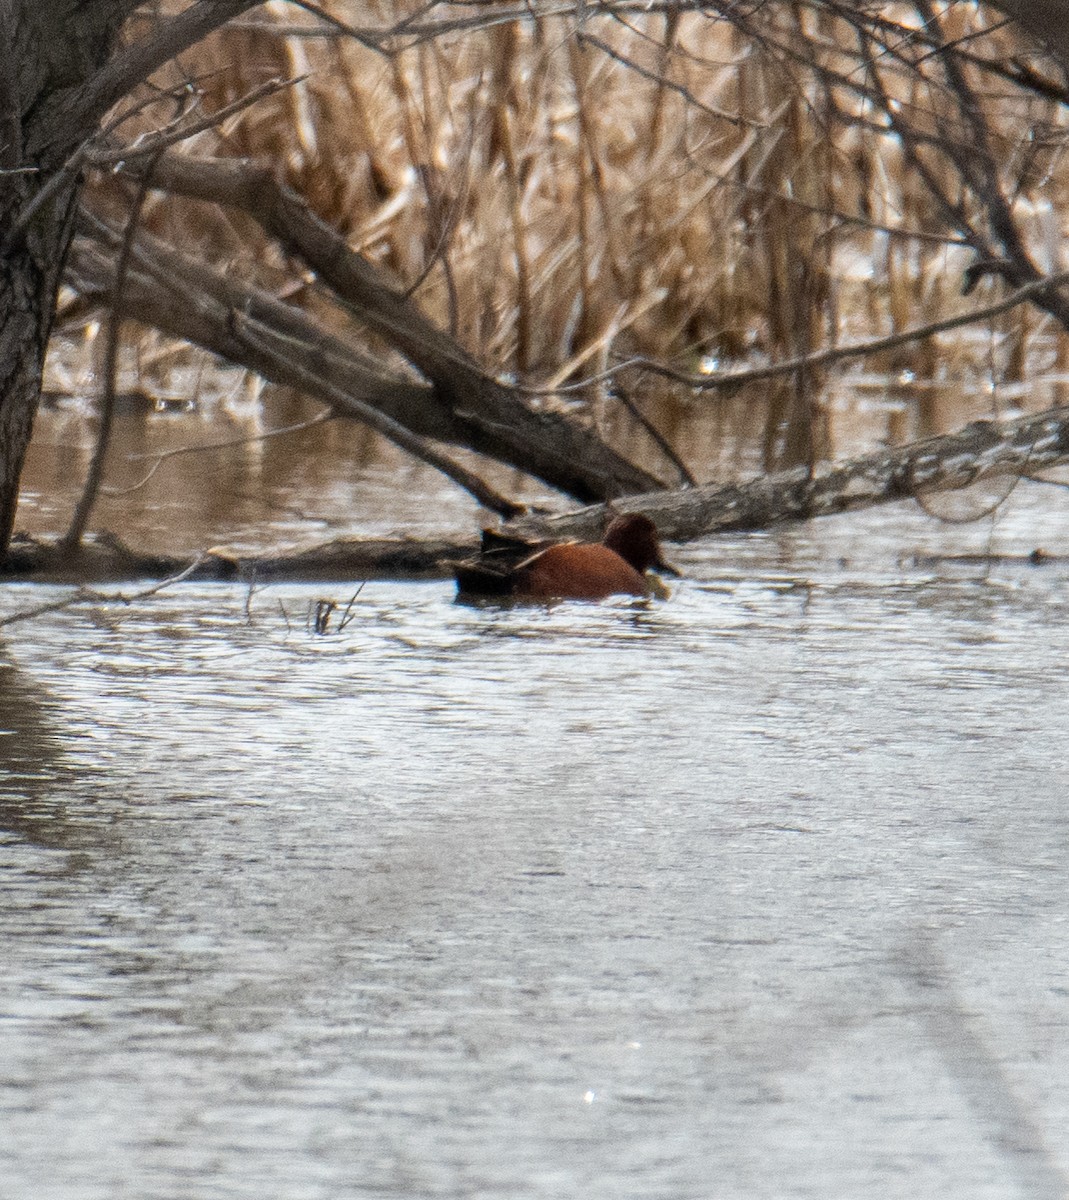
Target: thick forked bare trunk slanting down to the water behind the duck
x=455 y=400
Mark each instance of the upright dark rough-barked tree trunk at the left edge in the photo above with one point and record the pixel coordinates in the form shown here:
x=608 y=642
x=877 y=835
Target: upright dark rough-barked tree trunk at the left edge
x=61 y=73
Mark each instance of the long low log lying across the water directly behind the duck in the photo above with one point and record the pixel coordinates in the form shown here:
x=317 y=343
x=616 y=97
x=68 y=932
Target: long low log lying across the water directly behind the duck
x=982 y=451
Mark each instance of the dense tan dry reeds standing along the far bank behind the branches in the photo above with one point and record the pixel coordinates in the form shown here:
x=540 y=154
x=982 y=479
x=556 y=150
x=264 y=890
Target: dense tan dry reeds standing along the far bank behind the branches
x=670 y=185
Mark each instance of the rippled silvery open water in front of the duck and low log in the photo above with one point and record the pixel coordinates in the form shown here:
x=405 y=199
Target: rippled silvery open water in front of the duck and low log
x=758 y=892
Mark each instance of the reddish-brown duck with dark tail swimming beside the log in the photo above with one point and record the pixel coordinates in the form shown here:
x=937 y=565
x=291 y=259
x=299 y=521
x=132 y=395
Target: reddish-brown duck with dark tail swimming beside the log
x=511 y=568
